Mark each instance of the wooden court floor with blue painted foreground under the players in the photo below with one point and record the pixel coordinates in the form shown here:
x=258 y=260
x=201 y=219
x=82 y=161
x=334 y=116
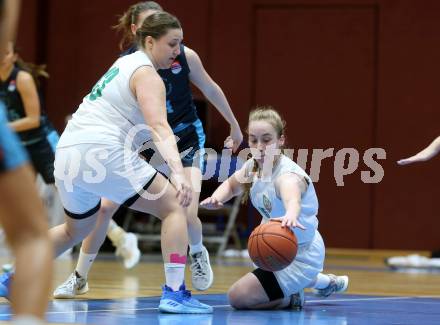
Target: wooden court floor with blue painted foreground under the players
x=370 y=279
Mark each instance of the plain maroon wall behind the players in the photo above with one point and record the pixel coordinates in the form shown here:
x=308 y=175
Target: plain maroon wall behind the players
x=345 y=74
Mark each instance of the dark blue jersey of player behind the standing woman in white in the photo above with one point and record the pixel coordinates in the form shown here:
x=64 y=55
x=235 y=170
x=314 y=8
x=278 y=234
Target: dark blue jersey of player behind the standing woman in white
x=181 y=110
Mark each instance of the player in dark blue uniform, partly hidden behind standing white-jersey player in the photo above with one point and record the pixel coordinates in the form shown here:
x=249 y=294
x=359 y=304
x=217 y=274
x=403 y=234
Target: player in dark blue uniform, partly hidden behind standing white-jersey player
x=183 y=119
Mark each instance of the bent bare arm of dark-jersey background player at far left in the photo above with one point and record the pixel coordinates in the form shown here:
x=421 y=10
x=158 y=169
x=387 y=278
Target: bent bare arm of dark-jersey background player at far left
x=31 y=102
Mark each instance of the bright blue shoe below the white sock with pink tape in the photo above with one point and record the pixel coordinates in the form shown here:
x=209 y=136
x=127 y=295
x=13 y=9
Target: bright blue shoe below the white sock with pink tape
x=181 y=302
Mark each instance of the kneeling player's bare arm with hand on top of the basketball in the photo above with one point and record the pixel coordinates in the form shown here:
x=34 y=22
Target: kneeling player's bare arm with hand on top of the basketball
x=290 y=187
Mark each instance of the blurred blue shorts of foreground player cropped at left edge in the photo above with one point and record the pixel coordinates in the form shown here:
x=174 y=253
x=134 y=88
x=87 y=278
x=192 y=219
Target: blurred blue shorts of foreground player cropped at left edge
x=12 y=154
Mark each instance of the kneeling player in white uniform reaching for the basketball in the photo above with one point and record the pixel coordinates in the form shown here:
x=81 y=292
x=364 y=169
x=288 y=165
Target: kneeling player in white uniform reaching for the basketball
x=279 y=189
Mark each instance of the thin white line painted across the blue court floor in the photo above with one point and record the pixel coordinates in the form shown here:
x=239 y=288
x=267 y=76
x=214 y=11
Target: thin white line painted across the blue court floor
x=223 y=306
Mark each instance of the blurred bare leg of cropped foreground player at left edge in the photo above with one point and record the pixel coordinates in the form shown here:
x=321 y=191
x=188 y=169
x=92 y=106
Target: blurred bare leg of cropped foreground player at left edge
x=25 y=225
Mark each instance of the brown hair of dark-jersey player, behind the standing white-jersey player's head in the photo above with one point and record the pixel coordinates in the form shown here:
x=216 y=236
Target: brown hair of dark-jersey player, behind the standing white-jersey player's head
x=131 y=16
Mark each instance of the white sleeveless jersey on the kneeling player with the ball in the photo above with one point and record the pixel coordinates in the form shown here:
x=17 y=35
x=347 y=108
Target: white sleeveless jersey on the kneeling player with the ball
x=266 y=201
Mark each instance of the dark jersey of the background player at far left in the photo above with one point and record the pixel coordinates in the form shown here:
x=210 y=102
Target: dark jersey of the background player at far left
x=11 y=97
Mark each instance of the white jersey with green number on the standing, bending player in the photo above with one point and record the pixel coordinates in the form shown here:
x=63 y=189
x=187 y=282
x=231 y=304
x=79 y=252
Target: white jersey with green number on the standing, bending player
x=110 y=111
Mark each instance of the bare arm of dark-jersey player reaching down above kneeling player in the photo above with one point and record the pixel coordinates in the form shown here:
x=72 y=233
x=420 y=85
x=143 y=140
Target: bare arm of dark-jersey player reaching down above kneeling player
x=201 y=79
